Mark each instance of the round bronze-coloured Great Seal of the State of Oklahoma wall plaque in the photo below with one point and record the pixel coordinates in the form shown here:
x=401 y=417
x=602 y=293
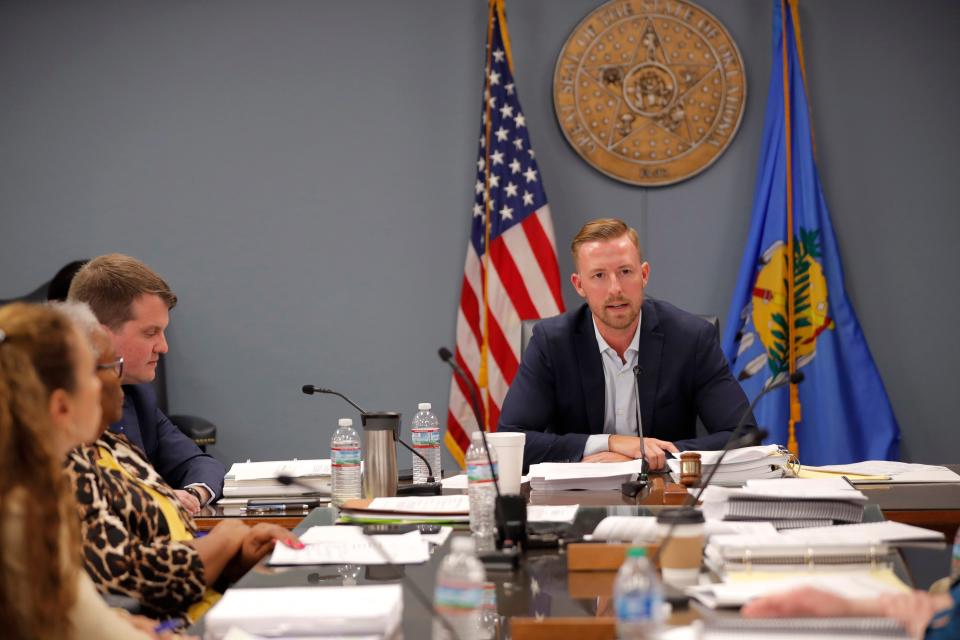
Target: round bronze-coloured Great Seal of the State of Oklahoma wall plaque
x=649 y=92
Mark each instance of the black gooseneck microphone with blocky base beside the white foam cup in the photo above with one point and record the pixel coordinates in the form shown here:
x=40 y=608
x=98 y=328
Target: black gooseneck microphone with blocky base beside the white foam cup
x=510 y=512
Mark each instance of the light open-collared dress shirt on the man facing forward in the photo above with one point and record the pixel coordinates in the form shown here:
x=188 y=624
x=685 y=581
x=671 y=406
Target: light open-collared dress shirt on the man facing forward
x=620 y=400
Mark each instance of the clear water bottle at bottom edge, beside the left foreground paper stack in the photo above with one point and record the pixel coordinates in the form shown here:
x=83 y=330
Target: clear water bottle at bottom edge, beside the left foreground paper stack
x=459 y=592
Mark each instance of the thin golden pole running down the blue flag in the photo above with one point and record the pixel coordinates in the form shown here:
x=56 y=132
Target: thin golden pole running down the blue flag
x=795 y=414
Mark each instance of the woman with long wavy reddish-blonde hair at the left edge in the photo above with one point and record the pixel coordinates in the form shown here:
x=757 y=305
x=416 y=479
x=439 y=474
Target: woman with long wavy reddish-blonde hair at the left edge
x=49 y=404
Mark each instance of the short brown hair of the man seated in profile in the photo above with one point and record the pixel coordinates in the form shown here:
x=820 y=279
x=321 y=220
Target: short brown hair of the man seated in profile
x=110 y=284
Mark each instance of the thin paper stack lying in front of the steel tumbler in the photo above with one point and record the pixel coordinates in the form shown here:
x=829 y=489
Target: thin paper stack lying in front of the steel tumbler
x=439 y=509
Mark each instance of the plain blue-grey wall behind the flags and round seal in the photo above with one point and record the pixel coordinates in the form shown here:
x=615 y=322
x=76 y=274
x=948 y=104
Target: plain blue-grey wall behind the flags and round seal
x=301 y=173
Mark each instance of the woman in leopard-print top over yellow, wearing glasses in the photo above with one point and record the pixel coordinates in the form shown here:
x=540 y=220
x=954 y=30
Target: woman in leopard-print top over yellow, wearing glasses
x=138 y=540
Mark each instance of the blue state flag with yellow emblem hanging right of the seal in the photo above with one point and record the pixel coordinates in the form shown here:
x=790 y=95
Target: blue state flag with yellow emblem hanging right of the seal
x=790 y=311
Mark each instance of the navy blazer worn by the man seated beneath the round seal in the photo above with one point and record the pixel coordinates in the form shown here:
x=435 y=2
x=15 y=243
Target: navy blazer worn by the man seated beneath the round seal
x=557 y=396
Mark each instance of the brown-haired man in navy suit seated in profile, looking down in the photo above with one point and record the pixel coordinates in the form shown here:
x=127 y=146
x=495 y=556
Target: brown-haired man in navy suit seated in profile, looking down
x=134 y=303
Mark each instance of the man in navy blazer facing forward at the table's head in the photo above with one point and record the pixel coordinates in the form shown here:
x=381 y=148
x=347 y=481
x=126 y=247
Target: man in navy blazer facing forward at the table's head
x=574 y=393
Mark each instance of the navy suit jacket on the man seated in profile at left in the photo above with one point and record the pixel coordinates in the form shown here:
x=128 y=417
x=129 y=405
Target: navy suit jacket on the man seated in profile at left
x=178 y=459
